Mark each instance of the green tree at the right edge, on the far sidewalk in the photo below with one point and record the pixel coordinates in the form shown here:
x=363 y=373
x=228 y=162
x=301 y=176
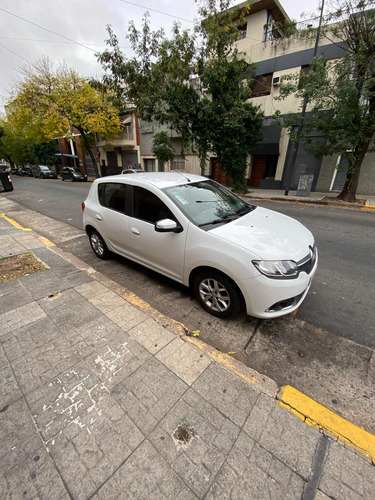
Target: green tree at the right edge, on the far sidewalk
x=341 y=93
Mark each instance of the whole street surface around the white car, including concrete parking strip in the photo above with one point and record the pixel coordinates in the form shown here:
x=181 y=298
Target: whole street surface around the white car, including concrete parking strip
x=309 y=351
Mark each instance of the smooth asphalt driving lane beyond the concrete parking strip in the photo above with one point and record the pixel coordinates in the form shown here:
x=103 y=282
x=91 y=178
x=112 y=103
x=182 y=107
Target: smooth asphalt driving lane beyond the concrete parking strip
x=341 y=297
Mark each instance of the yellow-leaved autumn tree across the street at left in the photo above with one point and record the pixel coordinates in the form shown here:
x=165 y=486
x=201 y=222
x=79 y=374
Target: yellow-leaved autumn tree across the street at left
x=49 y=104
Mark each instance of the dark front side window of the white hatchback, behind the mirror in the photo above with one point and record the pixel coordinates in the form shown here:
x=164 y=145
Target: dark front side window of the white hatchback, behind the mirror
x=148 y=207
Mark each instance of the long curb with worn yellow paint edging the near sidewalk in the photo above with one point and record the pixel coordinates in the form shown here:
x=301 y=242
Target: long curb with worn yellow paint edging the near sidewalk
x=301 y=405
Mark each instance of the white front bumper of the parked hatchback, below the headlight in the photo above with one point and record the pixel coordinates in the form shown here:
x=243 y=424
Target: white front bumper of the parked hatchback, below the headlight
x=272 y=298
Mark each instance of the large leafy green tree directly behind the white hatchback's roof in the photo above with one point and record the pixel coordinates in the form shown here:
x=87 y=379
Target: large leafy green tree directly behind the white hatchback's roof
x=195 y=82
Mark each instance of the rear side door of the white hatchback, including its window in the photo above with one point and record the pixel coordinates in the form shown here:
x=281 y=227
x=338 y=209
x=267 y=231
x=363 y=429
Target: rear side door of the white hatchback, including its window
x=111 y=219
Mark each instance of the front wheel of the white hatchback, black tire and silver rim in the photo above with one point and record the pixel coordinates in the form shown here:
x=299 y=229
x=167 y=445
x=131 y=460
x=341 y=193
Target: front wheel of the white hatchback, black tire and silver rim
x=217 y=294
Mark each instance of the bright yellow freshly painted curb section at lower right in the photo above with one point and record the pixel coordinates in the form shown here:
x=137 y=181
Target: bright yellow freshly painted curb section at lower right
x=316 y=415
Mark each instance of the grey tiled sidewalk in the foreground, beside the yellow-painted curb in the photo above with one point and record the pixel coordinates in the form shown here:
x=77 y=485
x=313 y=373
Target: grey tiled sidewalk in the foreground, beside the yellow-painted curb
x=103 y=398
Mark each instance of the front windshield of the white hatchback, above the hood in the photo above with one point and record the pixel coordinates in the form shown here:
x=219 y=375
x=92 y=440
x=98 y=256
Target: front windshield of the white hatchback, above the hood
x=208 y=203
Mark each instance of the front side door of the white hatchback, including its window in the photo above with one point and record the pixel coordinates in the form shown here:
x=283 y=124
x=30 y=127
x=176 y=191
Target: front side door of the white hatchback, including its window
x=163 y=252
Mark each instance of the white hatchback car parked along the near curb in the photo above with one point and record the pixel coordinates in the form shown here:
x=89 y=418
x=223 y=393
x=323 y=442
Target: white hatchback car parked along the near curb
x=199 y=233
